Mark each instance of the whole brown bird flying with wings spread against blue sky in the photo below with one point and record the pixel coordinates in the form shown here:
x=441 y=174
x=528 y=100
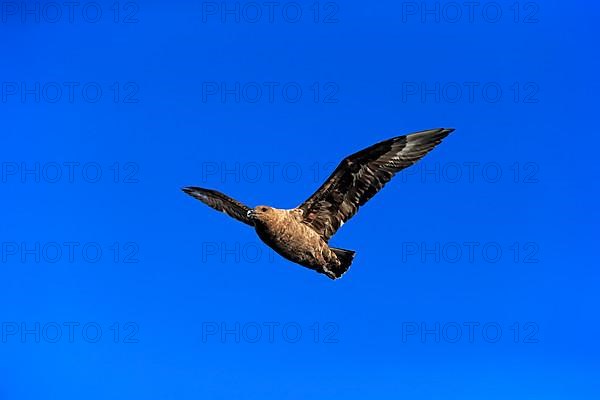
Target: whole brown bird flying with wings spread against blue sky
x=302 y=234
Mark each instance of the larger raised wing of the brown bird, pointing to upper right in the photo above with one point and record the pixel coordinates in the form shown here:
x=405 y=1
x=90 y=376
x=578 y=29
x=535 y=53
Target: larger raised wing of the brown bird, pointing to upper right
x=360 y=176
